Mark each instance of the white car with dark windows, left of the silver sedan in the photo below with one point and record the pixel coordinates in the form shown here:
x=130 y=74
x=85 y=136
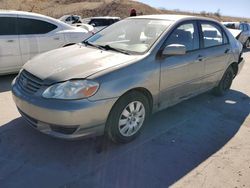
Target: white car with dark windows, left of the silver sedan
x=24 y=35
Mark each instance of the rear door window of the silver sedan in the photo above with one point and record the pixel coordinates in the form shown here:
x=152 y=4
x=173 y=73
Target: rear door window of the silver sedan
x=212 y=35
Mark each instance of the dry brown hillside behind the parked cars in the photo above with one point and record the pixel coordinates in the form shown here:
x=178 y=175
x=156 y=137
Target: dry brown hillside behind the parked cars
x=87 y=8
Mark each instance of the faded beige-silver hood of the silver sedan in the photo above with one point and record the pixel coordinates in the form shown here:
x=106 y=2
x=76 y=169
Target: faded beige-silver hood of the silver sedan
x=75 y=61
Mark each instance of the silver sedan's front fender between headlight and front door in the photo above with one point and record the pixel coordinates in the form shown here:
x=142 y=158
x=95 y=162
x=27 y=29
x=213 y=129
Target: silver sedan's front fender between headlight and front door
x=141 y=74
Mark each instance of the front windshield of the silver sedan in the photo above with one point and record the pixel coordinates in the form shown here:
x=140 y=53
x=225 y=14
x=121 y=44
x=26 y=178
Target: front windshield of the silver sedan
x=131 y=35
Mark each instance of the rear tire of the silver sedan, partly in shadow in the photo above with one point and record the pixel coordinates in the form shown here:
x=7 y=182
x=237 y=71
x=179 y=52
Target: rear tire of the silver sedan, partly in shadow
x=225 y=83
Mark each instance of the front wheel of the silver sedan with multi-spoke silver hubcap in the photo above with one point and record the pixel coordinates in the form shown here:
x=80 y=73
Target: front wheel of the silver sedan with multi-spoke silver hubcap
x=124 y=124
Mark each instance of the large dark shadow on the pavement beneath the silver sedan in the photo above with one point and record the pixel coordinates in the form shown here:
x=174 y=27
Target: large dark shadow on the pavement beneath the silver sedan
x=173 y=143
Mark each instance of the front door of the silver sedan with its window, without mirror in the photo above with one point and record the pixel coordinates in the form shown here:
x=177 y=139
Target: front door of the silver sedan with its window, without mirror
x=181 y=74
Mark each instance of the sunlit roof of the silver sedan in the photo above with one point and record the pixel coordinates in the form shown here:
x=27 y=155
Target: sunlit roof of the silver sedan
x=171 y=17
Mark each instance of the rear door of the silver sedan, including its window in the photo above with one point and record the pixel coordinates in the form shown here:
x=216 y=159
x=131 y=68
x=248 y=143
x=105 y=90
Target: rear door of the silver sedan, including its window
x=216 y=52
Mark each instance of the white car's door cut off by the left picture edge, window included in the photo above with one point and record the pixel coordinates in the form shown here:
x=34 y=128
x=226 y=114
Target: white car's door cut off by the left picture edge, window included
x=9 y=44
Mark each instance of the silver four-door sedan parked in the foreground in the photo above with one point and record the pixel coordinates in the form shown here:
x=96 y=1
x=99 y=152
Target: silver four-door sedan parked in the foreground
x=112 y=82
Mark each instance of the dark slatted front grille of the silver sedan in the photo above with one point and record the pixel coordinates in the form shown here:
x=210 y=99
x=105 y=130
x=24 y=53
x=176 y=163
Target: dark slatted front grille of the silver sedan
x=28 y=82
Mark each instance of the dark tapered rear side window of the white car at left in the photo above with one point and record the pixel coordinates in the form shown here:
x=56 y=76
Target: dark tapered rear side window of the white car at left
x=27 y=26
